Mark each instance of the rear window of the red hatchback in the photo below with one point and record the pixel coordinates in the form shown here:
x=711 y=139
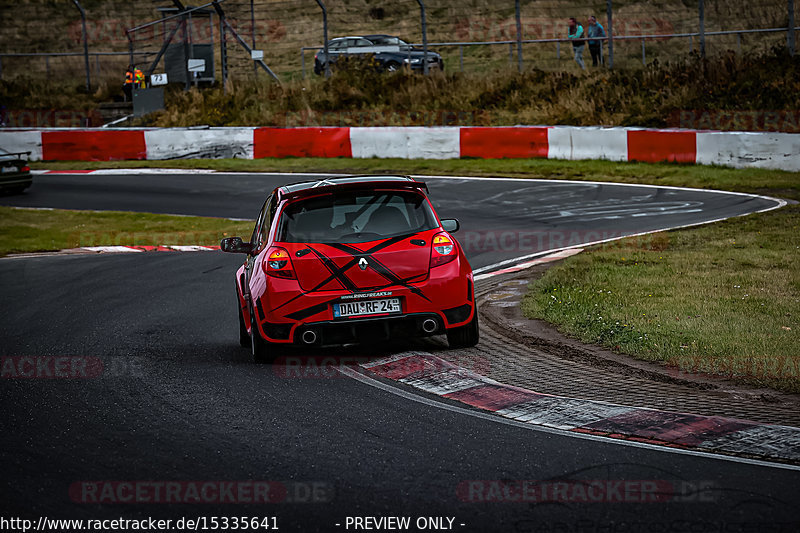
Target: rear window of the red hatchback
x=353 y=217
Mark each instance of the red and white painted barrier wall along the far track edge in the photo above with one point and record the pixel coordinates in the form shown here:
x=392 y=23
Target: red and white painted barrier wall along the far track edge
x=734 y=149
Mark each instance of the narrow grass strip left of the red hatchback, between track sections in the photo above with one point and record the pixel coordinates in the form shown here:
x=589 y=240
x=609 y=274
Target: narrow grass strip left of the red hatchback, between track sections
x=34 y=230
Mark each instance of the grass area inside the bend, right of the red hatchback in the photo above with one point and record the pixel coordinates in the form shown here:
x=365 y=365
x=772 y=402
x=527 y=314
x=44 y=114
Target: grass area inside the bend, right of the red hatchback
x=721 y=299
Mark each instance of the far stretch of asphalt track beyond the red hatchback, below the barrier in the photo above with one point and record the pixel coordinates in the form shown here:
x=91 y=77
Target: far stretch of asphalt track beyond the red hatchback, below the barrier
x=500 y=219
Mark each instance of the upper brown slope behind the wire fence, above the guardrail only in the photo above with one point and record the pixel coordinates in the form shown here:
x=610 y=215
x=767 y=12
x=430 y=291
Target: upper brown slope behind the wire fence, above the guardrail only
x=282 y=27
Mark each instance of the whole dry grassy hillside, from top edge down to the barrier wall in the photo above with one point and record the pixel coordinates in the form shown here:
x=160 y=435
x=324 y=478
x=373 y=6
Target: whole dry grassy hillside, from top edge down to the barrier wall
x=676 y=88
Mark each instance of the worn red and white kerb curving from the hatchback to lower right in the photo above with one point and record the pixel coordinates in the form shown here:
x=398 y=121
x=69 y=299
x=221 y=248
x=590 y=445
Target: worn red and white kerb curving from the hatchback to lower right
x=716 y=434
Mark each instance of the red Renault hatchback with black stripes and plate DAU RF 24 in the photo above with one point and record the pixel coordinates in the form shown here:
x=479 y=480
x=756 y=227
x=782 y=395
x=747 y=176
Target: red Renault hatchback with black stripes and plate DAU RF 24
x=354 y=259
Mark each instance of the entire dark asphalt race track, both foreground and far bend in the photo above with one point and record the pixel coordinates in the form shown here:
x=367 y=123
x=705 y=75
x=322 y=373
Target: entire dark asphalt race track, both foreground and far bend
x=177 y=399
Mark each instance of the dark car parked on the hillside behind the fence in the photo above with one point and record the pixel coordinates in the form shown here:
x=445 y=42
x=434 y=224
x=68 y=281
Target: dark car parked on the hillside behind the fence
x=390 y=52
